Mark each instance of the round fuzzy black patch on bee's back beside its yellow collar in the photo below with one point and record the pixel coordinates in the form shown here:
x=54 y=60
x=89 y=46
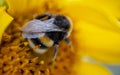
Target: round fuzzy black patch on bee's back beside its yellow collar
x=62 y=22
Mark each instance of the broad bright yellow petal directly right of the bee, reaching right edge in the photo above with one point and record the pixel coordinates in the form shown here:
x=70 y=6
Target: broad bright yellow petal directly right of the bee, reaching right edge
x=102 y=44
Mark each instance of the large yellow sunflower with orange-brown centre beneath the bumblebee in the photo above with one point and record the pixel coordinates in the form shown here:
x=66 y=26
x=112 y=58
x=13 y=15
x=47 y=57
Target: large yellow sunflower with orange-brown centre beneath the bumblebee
x=95 y=38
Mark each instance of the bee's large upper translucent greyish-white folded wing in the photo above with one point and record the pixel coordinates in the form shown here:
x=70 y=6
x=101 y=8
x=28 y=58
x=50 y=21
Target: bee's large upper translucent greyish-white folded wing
x=39 y=26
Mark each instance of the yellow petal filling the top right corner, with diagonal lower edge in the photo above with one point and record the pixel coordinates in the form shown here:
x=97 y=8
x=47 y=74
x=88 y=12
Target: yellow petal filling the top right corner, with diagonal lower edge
x=110 y=6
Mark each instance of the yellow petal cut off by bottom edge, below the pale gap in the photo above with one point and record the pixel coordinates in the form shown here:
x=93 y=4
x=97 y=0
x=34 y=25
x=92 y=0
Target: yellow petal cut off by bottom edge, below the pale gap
x=87 y=68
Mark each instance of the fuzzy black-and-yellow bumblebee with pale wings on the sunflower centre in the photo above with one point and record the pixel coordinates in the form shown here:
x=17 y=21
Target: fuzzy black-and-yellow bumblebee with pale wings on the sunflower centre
x=47 y=30
